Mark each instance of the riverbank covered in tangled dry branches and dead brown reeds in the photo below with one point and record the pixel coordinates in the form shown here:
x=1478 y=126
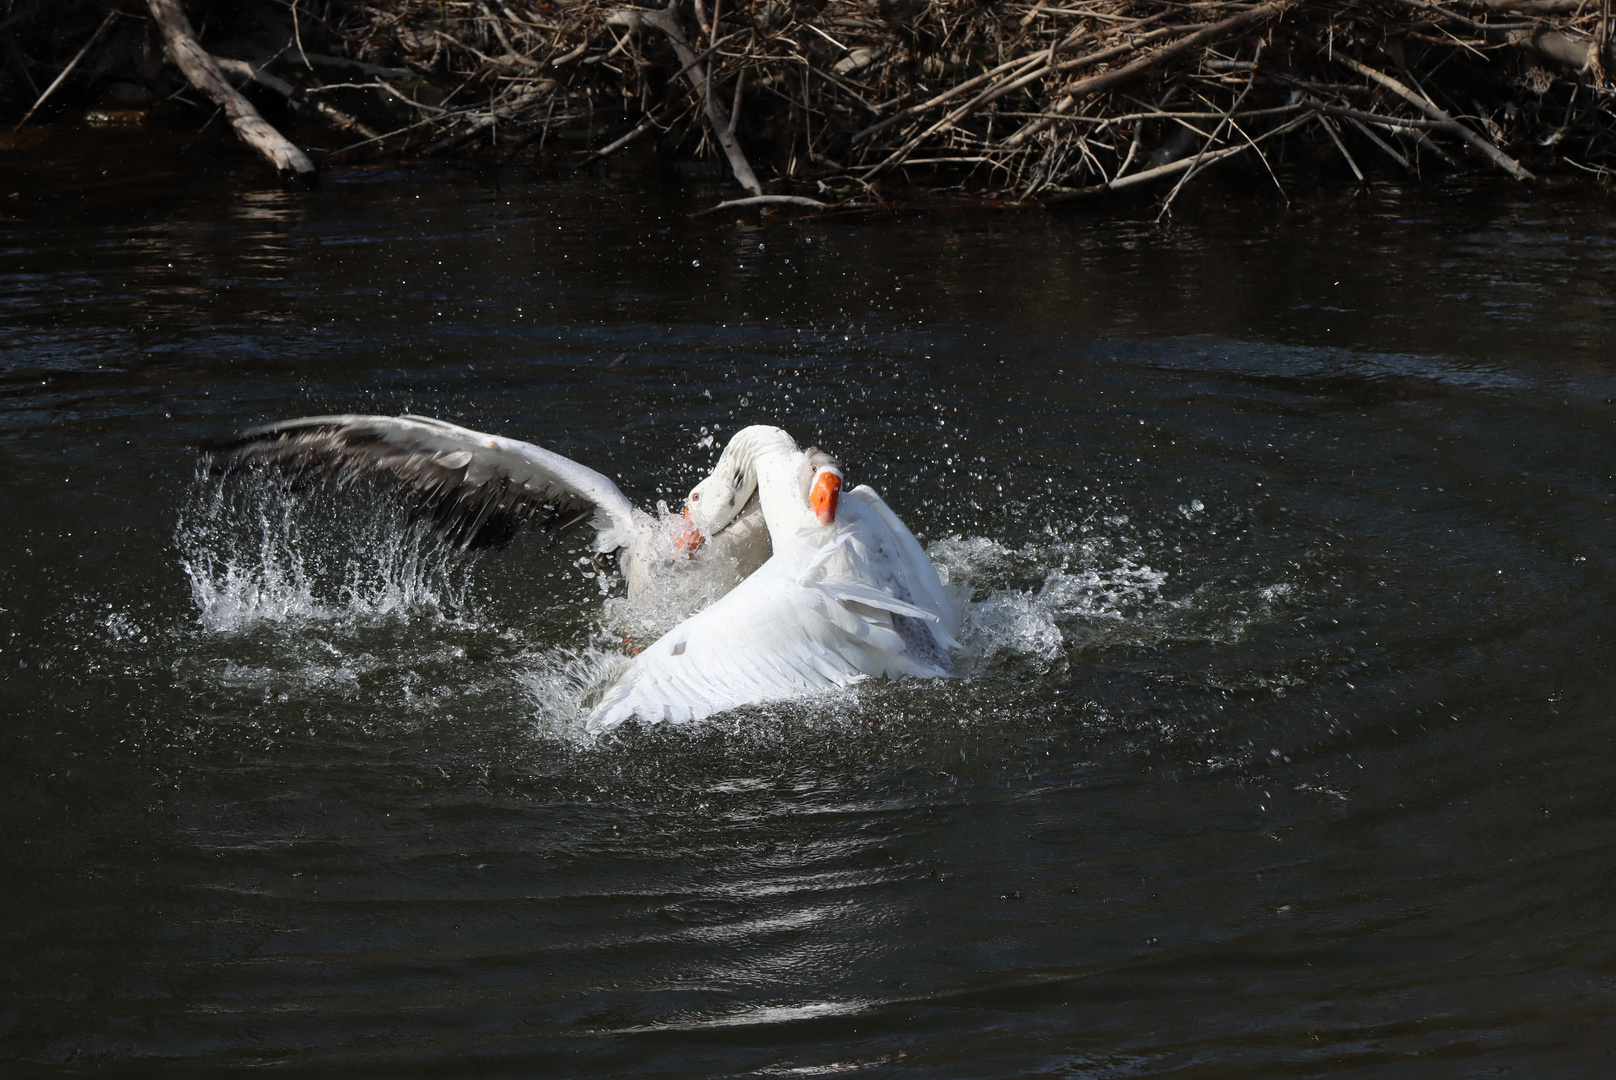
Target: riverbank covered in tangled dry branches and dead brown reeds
x=856 y=103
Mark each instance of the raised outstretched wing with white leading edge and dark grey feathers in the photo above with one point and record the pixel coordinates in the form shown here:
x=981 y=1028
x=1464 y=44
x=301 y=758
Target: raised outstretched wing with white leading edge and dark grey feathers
x=474 y=489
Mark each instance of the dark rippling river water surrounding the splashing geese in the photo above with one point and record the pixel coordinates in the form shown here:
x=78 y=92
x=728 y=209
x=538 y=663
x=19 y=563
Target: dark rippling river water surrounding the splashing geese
x=1284 y=740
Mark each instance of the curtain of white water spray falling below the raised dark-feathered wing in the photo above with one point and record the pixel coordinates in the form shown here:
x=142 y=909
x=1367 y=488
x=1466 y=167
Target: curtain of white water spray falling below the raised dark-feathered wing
x=256 y=552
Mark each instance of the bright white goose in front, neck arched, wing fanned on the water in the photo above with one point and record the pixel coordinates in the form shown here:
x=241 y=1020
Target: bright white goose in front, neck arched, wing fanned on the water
x=849 y=594
